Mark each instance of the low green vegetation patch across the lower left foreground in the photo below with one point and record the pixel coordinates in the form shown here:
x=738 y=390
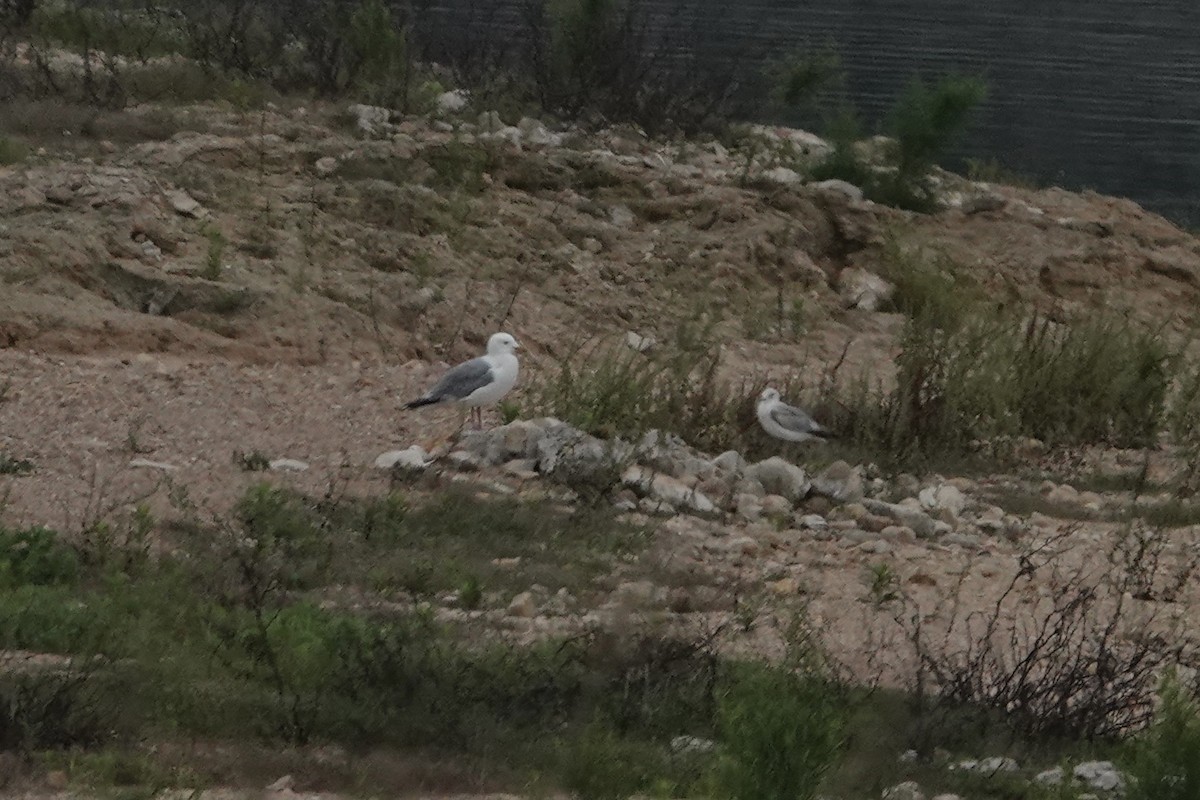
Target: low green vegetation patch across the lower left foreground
x=236 y=633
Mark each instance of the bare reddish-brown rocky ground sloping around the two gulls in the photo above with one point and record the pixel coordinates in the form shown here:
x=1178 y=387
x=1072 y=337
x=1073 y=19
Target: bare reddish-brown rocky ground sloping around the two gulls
x=202 y=282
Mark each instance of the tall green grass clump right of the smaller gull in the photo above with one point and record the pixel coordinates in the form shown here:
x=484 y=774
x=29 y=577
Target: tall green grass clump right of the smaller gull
x=994 y=378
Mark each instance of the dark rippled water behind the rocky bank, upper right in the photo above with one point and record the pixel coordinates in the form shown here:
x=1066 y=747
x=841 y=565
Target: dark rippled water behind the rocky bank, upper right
x=1093 y=94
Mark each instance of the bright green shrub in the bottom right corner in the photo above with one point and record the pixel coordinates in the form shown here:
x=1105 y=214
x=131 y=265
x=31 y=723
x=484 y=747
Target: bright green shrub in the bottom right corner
x=1165 y=761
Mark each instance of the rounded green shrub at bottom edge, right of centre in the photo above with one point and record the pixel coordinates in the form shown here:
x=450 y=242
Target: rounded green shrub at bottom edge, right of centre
x=781 y=733
